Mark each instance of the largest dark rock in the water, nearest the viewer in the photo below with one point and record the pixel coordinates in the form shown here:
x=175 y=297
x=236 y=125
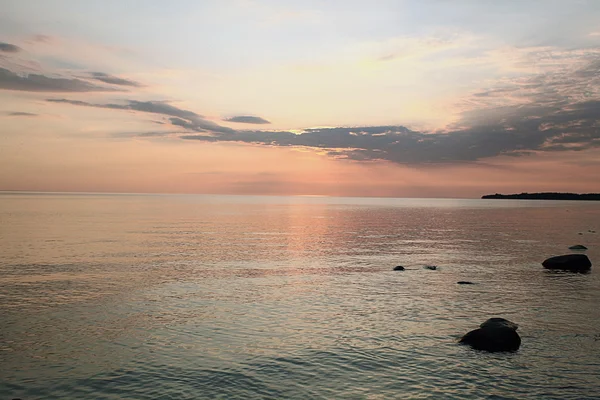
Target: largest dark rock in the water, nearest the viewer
x=494 y=335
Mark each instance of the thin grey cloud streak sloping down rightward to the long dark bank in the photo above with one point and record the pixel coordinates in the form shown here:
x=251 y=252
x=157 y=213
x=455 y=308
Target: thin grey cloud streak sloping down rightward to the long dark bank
x=187 y=119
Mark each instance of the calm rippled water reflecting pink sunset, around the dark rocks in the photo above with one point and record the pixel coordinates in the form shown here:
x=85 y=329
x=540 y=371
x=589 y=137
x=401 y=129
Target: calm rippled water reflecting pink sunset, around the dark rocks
x=177 y=297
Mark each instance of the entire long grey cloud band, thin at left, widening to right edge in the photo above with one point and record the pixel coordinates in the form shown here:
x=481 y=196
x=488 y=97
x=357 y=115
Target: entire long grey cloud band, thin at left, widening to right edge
x=558 y=110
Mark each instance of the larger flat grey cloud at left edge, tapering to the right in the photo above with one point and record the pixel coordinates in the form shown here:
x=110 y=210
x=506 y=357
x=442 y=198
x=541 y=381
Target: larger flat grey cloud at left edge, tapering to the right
x=41 y=83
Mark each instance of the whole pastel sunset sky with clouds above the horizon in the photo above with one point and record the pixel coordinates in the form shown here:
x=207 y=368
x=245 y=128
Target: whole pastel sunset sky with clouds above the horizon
x=429 y=98
